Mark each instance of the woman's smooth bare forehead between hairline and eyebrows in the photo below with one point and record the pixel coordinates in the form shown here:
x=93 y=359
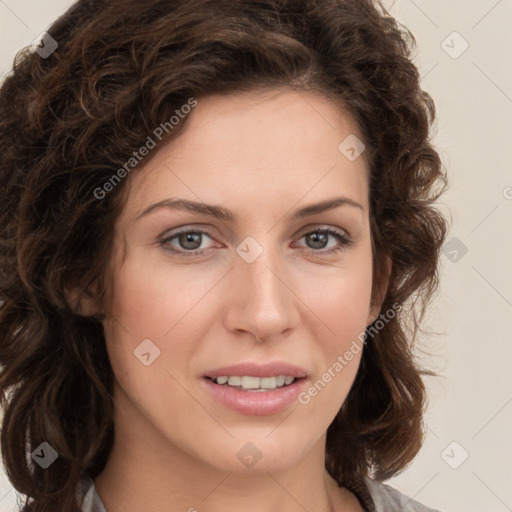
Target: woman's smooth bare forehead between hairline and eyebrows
x=279 y=145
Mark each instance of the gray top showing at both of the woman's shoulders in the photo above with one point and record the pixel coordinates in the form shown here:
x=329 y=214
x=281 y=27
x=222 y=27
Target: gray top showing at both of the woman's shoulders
x=385 y=498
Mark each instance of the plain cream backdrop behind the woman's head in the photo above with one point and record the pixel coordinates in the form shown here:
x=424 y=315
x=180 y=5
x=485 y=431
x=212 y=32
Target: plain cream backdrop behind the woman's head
x=463 y=54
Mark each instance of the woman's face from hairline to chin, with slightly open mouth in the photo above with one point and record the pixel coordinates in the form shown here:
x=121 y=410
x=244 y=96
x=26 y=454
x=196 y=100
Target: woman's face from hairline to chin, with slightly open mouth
x=269 y=287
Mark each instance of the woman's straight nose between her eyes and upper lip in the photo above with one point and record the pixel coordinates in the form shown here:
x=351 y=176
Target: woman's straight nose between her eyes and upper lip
x=260 y=298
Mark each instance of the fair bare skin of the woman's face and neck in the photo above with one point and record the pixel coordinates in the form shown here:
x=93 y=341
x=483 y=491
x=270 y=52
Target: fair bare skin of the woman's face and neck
x=262 y=155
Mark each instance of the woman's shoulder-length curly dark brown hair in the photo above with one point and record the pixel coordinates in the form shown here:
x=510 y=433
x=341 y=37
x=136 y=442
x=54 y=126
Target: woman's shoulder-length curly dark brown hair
x=69 y=121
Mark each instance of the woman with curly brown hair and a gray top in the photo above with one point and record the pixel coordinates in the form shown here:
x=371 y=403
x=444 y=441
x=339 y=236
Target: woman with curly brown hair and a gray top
x=218 y=240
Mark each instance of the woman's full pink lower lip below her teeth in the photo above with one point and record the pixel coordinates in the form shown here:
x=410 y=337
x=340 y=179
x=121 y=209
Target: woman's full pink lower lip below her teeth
x=257 y=403
